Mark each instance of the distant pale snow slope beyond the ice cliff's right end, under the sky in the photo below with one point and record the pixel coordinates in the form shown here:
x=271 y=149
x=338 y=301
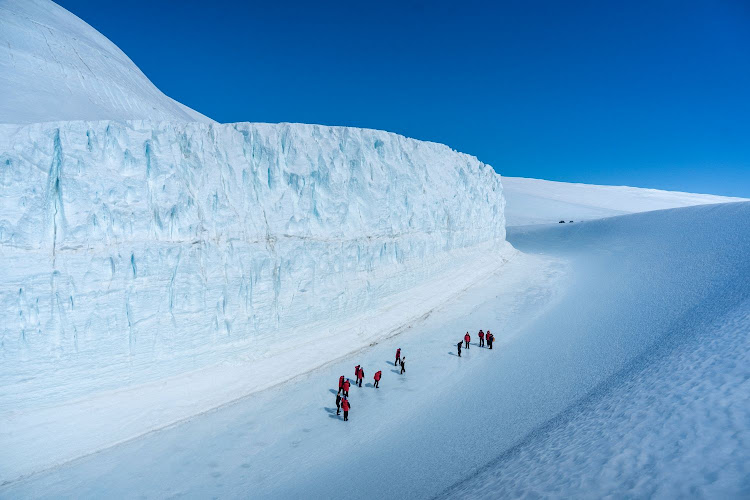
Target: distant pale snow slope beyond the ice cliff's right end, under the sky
x=536 y=201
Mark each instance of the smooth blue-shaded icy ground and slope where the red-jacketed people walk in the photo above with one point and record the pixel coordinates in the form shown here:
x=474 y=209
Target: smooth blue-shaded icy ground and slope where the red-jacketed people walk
x=620 y=369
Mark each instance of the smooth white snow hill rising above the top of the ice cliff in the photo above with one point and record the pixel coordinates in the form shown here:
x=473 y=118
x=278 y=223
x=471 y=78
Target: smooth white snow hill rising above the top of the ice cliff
x=54 y=66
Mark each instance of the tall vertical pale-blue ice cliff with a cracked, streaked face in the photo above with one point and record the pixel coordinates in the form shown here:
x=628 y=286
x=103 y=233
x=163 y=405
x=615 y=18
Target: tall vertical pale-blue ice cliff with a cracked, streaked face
x=131 y=244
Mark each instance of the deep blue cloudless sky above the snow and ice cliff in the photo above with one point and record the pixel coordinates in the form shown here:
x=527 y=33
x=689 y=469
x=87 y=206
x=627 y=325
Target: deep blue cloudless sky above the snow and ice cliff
x=652 y=93
